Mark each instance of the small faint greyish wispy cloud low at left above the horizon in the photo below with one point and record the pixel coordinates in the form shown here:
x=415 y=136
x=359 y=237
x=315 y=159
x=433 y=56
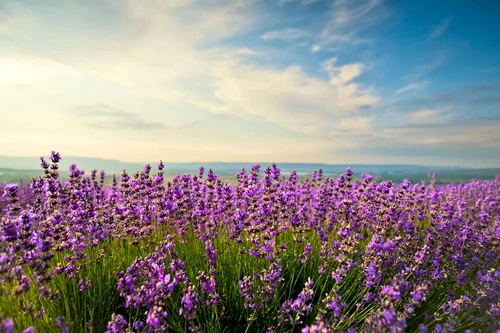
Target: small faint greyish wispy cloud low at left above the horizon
x=106 y=117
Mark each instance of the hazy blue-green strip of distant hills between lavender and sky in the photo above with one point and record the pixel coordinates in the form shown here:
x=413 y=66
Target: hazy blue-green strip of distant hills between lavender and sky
x=13 y=168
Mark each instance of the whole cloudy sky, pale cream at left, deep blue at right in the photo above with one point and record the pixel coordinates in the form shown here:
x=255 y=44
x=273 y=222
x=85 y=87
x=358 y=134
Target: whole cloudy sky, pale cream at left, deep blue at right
x=374 y=81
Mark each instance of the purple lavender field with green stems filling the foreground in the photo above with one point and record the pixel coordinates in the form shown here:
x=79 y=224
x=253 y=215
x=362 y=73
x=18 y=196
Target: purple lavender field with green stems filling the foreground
x=269 y=254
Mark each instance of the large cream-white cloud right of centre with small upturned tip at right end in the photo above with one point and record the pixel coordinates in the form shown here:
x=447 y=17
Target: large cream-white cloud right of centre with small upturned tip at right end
x=291 y=98
